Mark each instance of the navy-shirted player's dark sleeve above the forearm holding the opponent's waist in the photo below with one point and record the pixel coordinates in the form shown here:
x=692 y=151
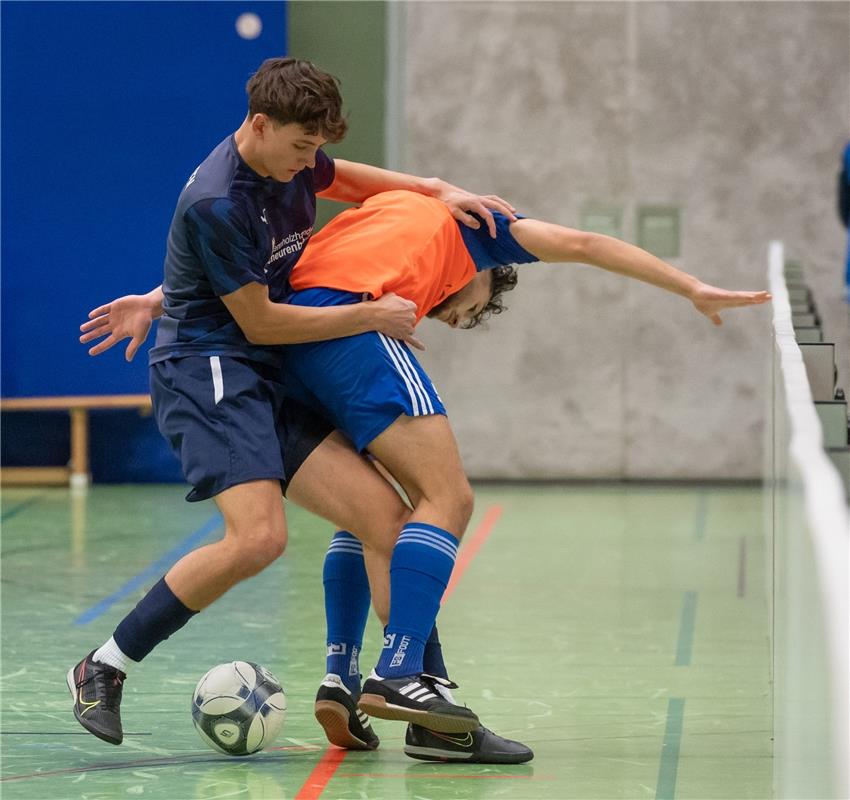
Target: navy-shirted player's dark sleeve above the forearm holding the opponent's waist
x=221 y=238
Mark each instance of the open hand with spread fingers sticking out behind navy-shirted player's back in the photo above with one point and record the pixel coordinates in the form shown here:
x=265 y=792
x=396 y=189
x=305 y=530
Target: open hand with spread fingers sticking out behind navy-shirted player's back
x=128 y=317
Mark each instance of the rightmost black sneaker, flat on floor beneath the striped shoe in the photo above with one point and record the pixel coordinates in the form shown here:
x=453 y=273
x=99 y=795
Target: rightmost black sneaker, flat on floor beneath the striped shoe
x=480 y=746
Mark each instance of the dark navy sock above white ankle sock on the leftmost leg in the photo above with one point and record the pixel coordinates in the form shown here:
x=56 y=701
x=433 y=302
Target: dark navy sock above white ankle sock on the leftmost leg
x=156 y=616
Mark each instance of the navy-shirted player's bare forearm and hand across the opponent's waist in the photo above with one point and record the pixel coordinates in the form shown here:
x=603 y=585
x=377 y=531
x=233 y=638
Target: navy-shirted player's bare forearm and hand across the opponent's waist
x=265 y=322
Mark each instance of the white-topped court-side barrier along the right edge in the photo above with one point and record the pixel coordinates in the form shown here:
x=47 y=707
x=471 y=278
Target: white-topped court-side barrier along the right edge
x=810 y=534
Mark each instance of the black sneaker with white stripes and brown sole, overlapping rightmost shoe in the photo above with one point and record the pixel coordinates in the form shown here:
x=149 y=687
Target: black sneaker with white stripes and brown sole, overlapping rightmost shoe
x=415 y=699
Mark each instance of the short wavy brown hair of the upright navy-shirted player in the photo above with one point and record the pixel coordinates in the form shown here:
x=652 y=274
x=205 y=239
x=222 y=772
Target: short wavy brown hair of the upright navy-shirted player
x=293 y=90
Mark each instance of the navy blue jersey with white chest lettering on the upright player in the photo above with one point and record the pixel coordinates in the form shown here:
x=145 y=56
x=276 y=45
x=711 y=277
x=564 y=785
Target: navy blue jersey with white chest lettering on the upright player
x=231 y=227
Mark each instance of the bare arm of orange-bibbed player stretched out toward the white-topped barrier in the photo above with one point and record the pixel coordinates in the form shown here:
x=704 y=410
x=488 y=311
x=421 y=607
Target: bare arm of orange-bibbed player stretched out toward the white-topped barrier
x=554 y=243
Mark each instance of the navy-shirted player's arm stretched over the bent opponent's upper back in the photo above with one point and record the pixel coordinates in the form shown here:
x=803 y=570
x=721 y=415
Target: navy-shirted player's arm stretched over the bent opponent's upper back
x=354 y=182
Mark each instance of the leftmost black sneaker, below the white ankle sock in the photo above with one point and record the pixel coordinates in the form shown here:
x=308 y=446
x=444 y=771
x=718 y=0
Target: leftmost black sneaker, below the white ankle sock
x=96 y=689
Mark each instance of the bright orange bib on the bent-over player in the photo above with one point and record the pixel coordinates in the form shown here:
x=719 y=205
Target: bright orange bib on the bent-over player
x=399 y=241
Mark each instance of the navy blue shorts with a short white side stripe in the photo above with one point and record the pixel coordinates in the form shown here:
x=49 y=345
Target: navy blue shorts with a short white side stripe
x=228 y=422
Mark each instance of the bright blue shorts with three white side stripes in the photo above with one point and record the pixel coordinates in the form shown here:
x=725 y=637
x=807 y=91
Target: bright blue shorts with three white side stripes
x=363 y=383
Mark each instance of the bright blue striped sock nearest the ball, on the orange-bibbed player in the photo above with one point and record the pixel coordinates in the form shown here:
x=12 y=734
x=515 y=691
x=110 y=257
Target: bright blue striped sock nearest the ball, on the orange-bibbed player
x=347 y=599
